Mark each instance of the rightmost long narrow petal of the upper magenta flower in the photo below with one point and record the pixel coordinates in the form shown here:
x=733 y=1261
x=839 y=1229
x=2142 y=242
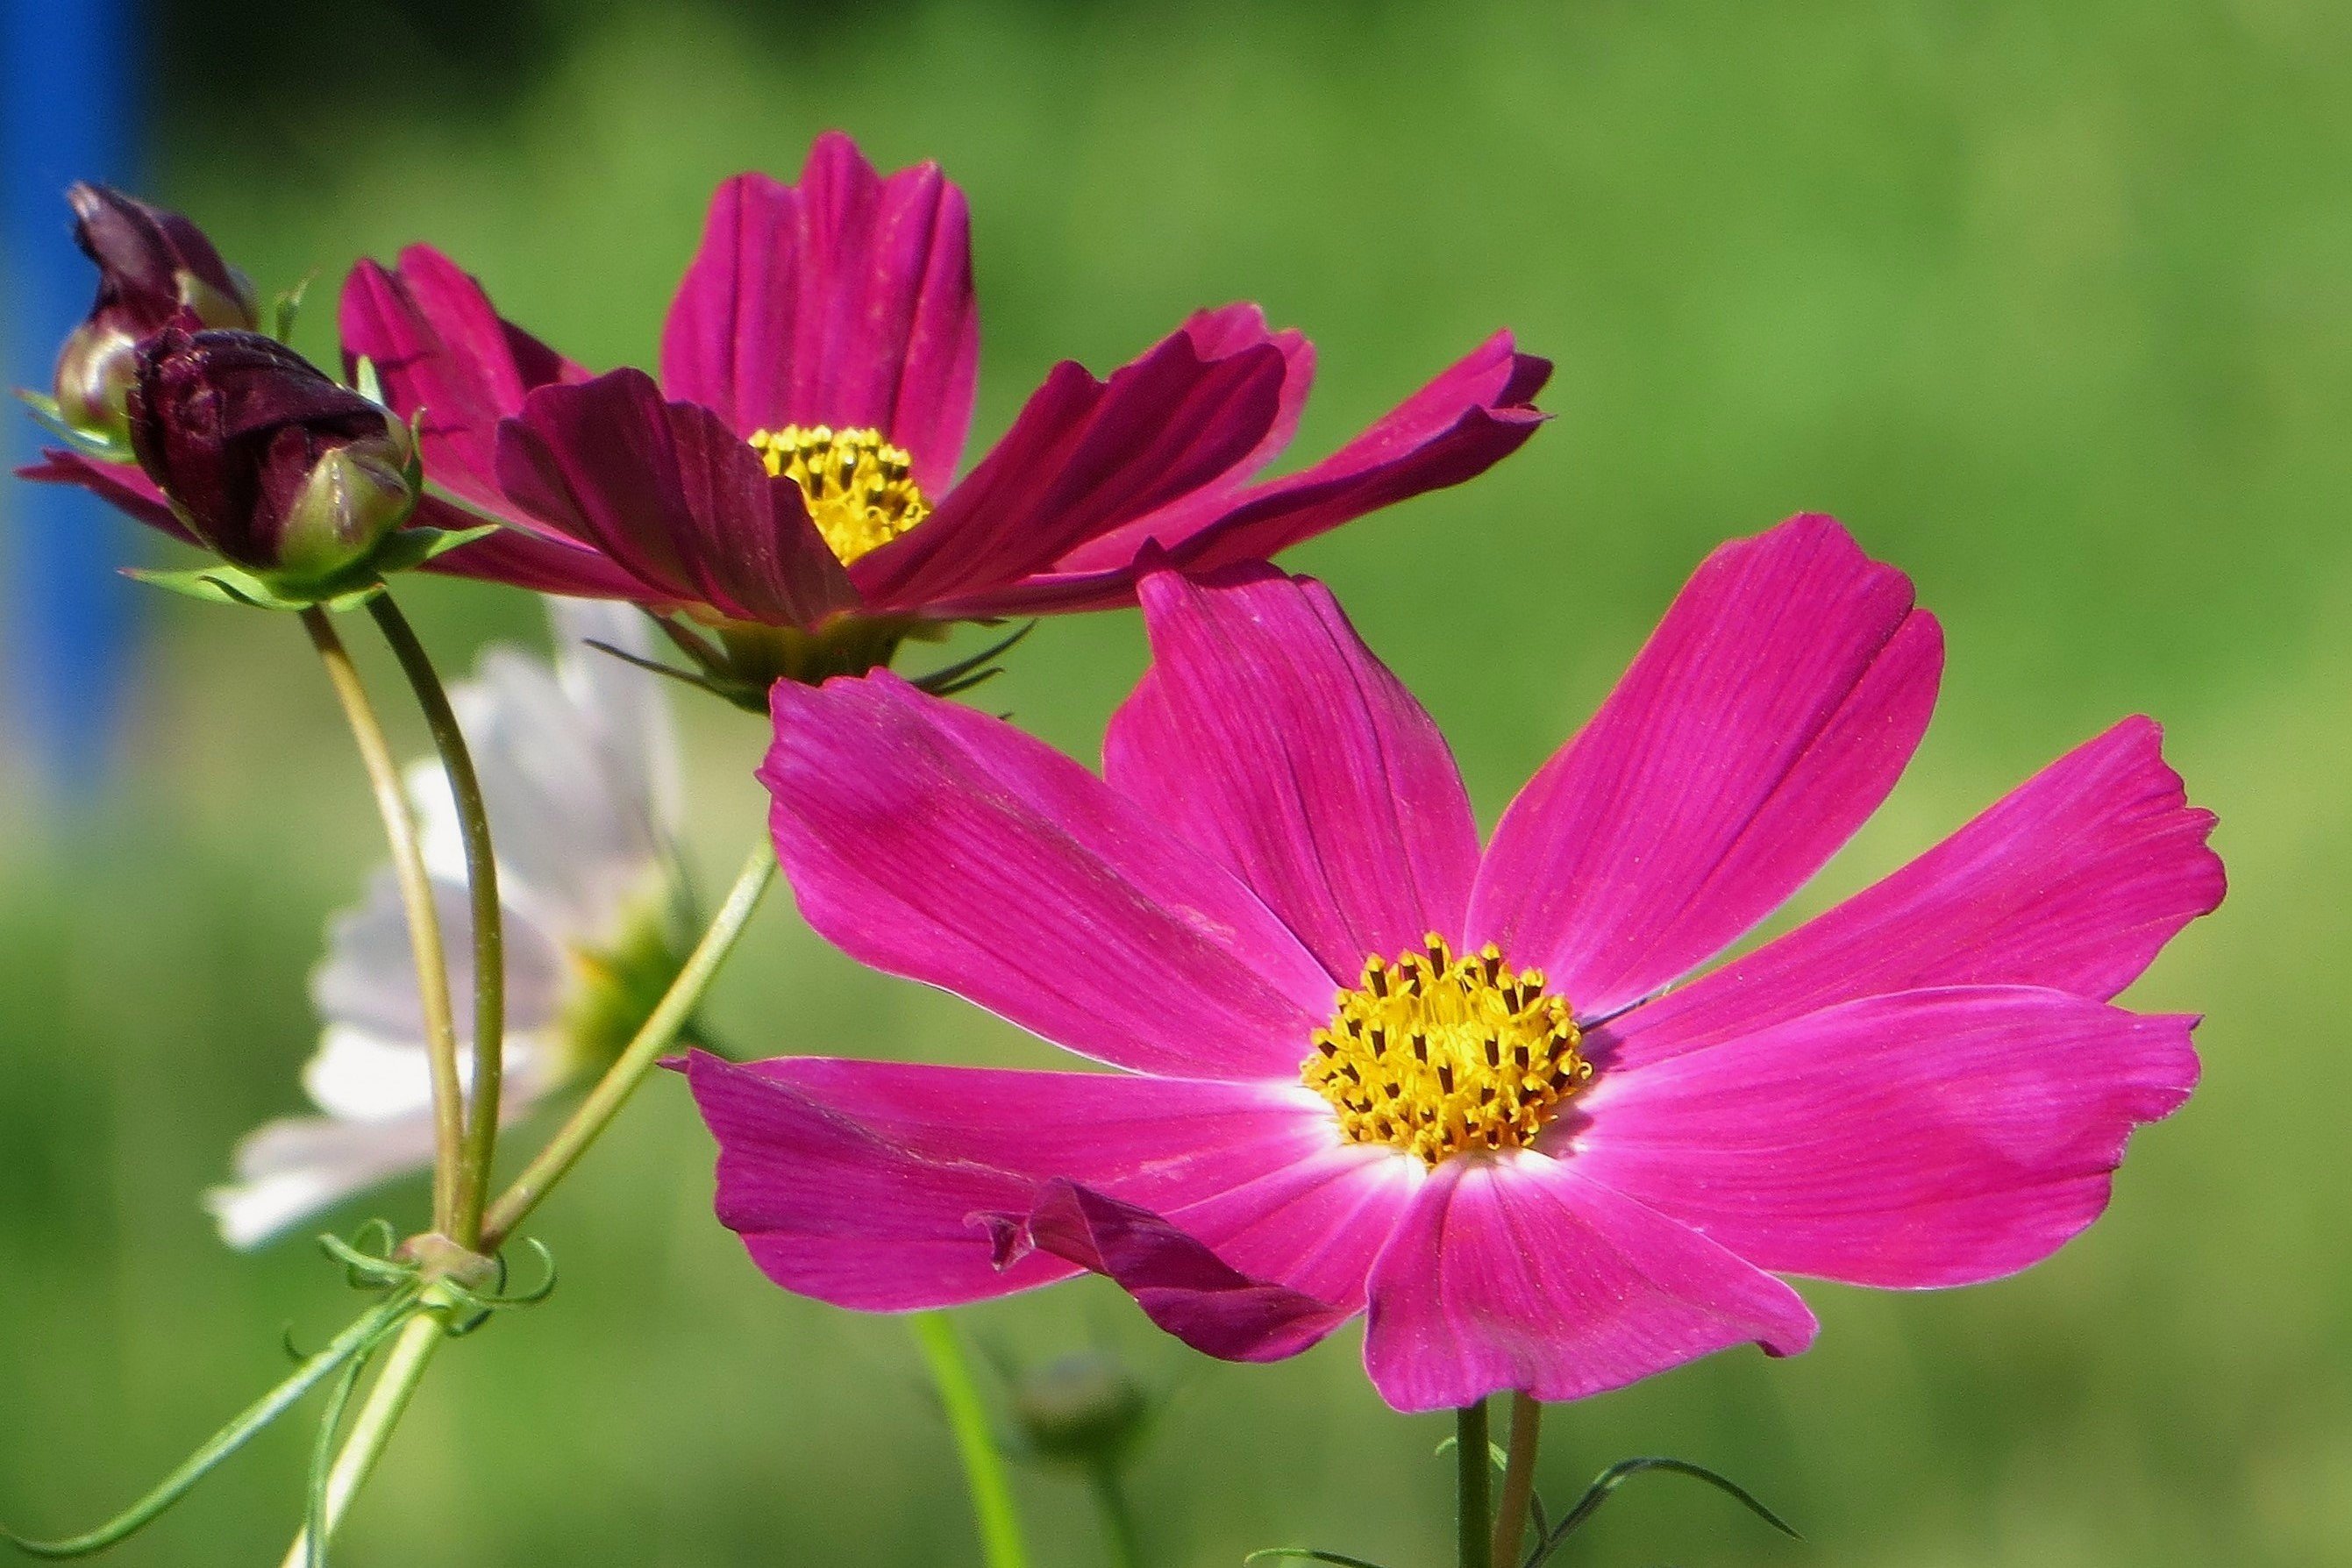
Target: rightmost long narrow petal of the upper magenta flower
x=1455 y=429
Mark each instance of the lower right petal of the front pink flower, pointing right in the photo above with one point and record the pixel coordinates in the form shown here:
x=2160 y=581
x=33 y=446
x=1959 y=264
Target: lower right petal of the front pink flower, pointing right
x=1927 y=1139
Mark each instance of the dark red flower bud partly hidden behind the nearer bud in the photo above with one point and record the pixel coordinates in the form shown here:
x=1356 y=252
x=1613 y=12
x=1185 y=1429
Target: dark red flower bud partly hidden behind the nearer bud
x=154 y=267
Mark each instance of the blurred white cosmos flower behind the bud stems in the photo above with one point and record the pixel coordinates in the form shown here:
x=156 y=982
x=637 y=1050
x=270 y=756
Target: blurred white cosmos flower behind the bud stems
x=580 y=775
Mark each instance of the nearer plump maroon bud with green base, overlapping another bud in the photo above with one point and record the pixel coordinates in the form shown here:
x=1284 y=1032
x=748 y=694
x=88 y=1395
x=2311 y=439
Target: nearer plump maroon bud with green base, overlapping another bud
x=267 y=460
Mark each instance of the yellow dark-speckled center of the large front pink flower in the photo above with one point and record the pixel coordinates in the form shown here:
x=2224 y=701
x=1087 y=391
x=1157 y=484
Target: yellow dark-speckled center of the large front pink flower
x=1443 y=1057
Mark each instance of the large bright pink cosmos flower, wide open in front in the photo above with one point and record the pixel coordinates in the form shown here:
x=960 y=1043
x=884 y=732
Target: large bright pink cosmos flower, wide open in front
x=1368 y=1064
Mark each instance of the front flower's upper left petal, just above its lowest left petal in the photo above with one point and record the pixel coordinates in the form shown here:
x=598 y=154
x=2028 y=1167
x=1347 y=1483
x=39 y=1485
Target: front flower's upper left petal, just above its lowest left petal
x=942 y=845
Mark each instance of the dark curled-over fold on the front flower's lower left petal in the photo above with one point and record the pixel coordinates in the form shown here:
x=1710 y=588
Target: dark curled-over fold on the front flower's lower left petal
x=1184 y=1287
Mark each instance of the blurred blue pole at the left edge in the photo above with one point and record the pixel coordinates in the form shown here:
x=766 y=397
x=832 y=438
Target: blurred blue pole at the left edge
x=67 y=634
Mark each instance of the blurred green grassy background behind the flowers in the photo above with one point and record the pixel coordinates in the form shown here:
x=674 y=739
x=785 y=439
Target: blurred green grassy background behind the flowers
x=2050 y=302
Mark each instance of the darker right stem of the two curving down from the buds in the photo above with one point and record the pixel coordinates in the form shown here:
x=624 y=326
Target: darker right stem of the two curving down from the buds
x=465 y=1224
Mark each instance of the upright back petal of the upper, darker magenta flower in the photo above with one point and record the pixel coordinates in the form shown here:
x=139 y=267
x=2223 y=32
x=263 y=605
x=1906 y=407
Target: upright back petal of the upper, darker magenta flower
x=836 y=302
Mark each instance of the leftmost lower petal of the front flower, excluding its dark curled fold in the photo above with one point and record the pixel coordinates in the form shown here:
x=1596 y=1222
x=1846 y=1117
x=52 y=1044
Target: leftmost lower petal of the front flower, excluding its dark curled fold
x=871 y=1184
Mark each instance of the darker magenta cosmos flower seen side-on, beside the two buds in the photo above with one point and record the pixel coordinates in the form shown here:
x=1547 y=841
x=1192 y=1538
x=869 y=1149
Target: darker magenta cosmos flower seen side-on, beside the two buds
x=796 y=462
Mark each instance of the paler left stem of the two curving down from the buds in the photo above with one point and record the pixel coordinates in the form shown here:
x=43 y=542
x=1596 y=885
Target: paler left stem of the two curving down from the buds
x=417 y=902
